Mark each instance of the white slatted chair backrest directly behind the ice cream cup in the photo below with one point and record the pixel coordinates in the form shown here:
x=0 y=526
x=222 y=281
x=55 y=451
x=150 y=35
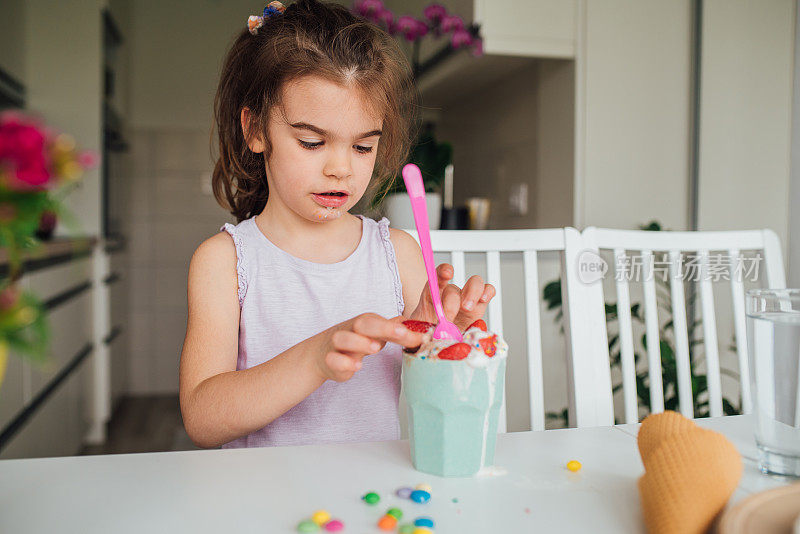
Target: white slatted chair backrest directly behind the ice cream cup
x=491 y=243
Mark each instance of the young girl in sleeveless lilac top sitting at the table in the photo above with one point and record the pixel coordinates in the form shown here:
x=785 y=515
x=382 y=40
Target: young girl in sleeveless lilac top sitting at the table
x=295 y=314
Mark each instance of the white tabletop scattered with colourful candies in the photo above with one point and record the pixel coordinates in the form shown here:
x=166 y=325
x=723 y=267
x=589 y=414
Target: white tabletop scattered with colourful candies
x=269 y=490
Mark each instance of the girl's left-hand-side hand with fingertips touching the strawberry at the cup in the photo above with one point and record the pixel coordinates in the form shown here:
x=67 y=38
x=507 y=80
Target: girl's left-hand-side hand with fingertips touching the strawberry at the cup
x=349 y=342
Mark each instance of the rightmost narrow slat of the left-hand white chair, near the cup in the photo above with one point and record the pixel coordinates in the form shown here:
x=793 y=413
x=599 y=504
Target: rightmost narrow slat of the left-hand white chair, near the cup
x=534 y=335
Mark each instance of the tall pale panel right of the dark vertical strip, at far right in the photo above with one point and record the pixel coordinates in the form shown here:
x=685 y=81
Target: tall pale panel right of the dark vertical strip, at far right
x=745 y=115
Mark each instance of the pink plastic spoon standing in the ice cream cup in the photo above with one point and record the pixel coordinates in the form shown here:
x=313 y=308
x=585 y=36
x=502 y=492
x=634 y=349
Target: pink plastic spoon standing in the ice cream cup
x=413 y=179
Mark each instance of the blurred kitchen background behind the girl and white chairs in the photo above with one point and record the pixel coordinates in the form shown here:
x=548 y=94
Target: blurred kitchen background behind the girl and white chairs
x=610 y=113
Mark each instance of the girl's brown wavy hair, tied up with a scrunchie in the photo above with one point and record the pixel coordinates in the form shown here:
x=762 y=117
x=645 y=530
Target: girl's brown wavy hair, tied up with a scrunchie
x=309 y=38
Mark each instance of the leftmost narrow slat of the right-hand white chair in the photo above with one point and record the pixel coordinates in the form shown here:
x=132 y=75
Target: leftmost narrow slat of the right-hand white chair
x=626 y=338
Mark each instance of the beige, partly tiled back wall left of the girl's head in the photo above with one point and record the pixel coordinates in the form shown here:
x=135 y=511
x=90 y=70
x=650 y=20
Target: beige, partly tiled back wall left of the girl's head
x=176 y=50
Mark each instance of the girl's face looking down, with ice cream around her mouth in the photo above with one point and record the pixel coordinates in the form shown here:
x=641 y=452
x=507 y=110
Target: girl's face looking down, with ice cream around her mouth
x=323 y=149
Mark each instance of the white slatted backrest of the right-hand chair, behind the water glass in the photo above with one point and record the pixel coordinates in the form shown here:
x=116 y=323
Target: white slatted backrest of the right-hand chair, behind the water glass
x=626 y=247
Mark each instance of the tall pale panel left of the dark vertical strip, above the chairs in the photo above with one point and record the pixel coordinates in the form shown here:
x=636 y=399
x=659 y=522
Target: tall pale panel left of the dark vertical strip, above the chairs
x=635 y=59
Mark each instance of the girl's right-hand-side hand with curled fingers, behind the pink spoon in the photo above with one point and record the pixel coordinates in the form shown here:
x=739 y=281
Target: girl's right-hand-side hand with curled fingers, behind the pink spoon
x=462 y=306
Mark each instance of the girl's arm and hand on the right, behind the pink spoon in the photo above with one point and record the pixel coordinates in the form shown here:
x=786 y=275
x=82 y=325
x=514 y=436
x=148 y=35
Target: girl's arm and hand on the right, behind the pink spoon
x=462 y=306
